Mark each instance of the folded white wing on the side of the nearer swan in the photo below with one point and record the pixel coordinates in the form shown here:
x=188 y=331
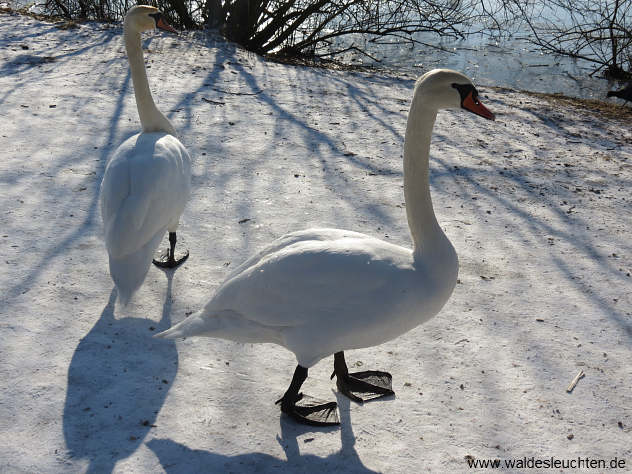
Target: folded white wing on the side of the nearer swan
x=308 y=279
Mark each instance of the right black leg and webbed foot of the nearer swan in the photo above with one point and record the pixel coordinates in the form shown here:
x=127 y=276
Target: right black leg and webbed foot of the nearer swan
x=370 y=384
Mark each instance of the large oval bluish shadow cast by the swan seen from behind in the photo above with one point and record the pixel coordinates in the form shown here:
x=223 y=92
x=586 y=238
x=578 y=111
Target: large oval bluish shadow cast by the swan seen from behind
x=118 y=380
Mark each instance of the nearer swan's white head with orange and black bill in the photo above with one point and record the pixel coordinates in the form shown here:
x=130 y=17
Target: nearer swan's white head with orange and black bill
x=444 y=89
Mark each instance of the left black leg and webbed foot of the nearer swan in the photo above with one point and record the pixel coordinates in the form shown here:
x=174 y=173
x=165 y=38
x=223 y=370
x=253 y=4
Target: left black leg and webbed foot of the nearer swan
x=310 y=411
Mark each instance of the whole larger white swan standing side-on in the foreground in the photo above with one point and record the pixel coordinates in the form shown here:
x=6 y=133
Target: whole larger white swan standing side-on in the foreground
x=321 y=291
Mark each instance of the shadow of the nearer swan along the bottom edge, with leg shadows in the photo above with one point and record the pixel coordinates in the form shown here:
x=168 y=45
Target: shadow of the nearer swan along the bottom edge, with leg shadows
x=177 y=458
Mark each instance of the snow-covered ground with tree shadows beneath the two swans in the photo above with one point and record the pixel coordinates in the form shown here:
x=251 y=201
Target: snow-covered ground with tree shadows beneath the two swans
x=537 y=204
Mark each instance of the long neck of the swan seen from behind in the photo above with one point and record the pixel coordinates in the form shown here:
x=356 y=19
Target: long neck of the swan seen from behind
x=151 y=119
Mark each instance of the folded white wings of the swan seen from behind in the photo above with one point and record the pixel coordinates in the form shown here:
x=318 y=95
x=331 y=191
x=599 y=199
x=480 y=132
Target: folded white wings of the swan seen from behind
x=145 y=187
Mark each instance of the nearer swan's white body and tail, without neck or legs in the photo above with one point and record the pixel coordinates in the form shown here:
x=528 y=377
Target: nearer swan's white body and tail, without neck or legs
x=321 y=291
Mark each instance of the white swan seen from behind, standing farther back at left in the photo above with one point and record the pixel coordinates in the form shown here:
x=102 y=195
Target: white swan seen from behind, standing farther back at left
x=147 y=181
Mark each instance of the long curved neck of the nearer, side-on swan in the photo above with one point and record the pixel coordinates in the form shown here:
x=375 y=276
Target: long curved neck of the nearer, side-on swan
x=428 y=237
